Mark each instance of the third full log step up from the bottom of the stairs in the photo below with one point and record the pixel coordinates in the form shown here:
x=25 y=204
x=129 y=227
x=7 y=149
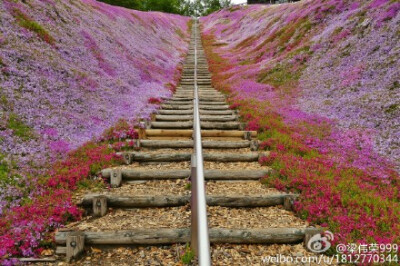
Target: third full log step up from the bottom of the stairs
x=133 y=174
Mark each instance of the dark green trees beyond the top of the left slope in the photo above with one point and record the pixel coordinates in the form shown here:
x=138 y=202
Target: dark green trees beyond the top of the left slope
x=182 y=7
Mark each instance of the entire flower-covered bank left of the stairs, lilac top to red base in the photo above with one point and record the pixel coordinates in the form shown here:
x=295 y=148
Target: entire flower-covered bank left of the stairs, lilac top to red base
x=69 y=71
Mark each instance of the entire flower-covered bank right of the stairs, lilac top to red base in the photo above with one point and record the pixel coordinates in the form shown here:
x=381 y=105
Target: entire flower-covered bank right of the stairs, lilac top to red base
x=320 y=81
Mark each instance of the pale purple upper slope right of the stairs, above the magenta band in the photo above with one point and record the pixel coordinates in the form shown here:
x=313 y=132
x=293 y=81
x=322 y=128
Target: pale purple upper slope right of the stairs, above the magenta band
x=338 y=59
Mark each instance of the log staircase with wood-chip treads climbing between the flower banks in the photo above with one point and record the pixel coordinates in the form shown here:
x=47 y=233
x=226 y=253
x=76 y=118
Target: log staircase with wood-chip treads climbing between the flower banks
x=162 y=156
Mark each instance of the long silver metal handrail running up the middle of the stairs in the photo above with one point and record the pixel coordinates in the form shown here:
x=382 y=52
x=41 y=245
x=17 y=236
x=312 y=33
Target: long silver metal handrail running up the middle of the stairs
x=200 y=241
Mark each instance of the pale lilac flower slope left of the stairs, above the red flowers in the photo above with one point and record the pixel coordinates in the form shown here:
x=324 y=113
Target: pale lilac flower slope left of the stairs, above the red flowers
x=71 y=69
